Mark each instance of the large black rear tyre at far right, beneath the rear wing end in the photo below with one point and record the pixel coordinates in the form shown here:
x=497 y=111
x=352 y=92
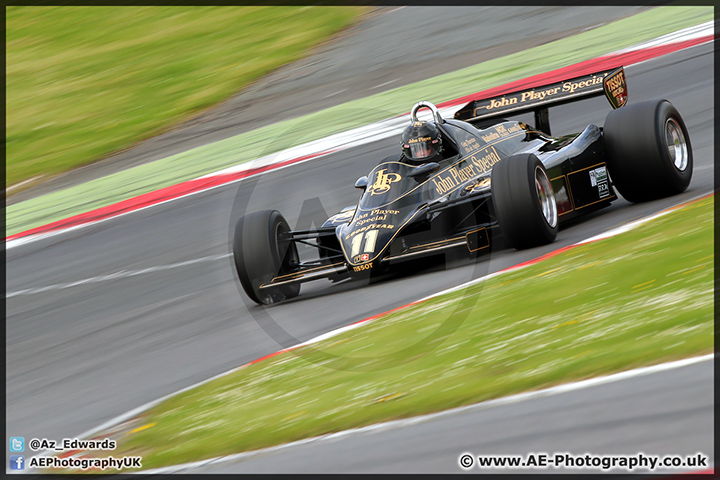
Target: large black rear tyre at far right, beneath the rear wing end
x=648 y=150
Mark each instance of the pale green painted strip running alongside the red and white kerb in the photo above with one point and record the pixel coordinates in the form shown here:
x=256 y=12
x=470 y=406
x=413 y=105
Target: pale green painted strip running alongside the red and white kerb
x=251 y=145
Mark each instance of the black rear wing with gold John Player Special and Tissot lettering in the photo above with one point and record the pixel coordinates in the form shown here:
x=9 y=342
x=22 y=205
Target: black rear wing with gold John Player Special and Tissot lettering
x=538 y=99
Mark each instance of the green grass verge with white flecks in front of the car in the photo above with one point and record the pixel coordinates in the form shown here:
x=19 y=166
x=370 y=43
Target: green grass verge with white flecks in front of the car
x=640 y=298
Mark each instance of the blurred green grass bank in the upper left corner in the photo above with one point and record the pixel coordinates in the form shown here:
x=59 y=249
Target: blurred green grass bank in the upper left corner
x=83 y=82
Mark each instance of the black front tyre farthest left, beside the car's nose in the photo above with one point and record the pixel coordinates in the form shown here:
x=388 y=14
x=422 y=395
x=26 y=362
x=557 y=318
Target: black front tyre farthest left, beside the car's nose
x=262 y=250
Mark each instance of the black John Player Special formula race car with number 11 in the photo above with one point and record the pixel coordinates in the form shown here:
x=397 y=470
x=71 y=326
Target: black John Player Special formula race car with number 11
x=488 y=174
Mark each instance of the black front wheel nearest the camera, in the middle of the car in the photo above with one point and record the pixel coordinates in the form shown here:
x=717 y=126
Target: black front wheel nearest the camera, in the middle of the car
x=524 y=201
